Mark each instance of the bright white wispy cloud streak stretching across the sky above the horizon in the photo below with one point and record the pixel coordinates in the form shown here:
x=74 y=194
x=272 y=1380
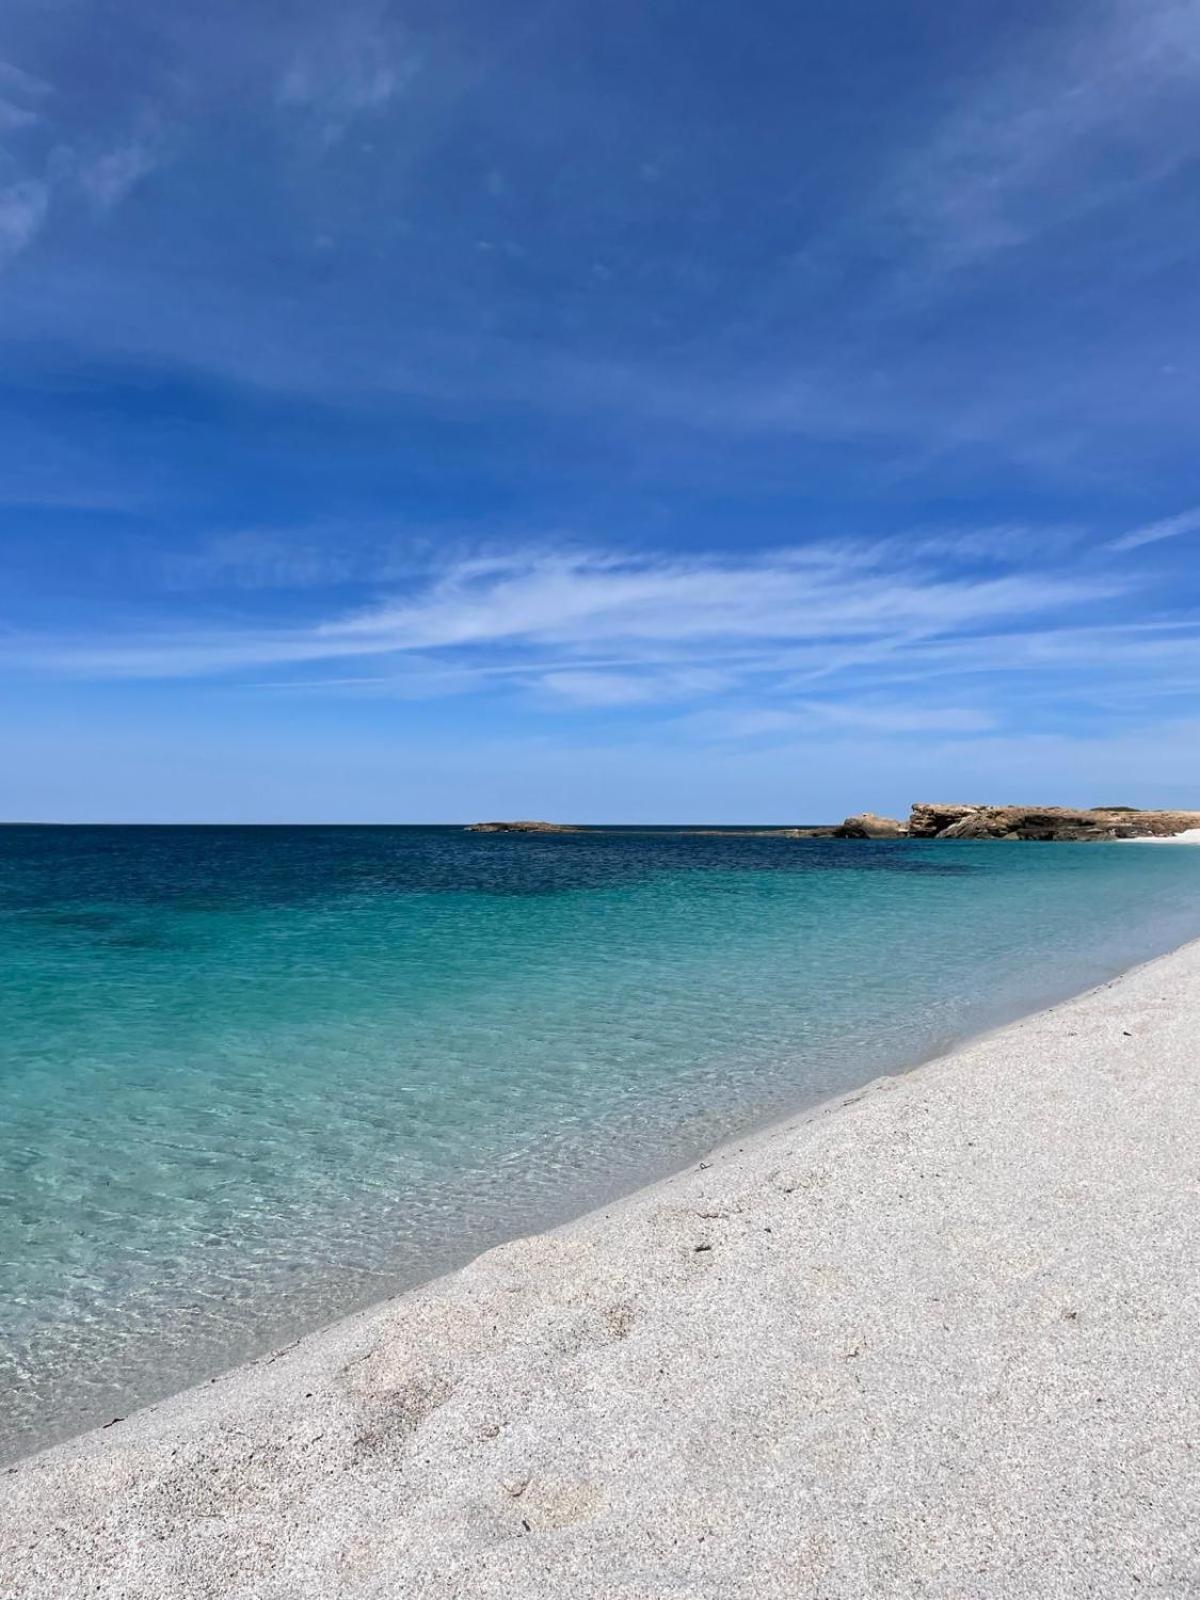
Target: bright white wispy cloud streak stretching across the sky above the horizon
x=615 y=631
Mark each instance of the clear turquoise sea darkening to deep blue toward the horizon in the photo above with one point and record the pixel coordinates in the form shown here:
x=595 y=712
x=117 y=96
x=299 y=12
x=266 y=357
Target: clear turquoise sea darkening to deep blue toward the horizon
x=255 y=1078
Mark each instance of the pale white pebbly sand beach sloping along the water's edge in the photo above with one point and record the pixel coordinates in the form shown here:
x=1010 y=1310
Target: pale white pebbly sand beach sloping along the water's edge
x=940 y=1338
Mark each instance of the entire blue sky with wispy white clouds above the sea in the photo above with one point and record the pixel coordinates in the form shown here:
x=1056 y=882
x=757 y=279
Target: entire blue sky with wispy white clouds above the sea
x=658 y=412
